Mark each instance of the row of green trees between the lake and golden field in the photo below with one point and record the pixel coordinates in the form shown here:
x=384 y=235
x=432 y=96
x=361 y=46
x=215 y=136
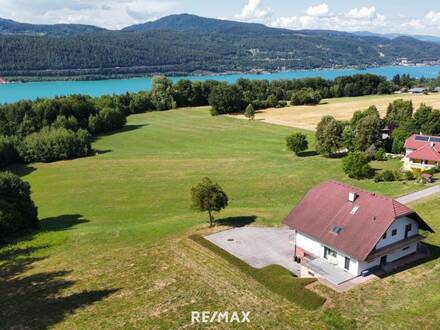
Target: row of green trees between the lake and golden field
x=226 y=98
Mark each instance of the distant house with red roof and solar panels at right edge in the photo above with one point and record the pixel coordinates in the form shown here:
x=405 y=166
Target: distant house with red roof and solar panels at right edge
x=422 y=152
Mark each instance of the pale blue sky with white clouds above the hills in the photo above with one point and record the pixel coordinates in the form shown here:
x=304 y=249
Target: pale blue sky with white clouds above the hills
x=386 y=16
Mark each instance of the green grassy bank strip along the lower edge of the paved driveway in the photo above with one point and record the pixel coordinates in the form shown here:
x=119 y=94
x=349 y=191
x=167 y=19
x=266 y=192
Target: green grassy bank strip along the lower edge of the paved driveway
x=276 y=278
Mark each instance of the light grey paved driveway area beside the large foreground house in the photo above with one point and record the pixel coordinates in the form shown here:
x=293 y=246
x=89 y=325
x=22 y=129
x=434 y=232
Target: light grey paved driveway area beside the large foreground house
x=259 y=247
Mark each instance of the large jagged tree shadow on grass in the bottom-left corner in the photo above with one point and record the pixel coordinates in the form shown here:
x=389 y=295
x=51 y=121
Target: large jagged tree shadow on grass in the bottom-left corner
x=38 y=300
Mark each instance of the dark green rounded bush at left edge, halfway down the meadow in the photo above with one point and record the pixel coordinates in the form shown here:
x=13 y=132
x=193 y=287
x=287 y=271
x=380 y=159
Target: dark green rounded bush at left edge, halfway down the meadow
x=18 y=214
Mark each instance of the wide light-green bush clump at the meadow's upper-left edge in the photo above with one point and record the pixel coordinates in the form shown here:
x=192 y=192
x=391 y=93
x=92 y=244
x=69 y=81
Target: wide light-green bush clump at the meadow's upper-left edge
x=52 y=144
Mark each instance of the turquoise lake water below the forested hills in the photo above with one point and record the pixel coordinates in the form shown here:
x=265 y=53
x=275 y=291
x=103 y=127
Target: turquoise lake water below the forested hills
x=20 y=91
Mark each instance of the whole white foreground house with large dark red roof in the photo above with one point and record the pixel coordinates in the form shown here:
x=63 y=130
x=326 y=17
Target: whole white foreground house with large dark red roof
x=352 y=230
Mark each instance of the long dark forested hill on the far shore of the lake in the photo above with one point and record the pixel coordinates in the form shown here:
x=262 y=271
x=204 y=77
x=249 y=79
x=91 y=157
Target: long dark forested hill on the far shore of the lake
x=185 y=43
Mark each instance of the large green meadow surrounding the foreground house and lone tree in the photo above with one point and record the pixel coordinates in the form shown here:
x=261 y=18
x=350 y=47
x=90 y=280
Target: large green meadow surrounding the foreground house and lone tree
x=114 y=250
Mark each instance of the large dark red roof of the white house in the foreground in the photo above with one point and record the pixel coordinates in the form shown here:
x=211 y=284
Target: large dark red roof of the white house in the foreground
x=327 y=205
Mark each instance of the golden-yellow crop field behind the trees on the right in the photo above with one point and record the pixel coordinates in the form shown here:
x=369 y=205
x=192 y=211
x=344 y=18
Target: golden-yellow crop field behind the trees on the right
x=307 y=117
